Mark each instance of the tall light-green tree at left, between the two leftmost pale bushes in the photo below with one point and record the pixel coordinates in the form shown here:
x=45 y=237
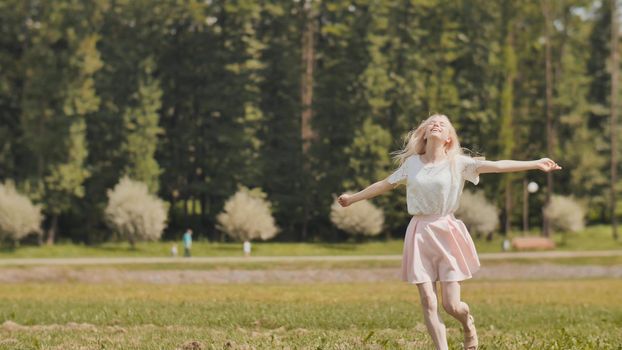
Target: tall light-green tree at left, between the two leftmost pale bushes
x=58 y=94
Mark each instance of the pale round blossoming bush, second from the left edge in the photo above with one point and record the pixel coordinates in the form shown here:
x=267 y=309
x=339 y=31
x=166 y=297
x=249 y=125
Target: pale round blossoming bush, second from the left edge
x=135 y=213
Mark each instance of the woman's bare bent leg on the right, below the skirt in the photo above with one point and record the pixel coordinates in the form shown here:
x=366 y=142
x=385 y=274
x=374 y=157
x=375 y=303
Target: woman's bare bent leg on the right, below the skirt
x=459 y=310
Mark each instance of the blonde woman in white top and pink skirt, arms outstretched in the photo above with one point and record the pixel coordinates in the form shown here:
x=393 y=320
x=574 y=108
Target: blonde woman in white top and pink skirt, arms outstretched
x=437 y=246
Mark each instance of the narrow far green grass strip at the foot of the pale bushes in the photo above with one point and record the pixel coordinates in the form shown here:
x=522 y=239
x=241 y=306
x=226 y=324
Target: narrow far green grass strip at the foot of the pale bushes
x=593 y=238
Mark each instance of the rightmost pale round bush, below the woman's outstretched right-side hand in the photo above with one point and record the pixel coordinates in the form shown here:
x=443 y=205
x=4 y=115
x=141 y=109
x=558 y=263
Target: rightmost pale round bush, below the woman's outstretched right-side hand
x=565 y=213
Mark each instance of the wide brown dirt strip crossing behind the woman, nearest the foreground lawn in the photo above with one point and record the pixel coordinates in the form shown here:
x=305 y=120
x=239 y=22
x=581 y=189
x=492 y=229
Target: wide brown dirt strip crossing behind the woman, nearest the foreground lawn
x=112 y=275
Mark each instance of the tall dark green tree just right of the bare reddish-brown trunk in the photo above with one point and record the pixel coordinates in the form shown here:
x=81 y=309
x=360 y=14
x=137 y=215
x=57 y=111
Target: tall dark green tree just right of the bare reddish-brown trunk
x=339 y=103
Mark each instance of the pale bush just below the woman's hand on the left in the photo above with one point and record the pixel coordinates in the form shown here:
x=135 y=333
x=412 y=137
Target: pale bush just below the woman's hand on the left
x=360 y=218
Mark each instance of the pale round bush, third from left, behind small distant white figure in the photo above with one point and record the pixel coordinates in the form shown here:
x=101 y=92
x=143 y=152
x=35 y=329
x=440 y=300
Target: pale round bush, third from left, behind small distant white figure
x=246 y=216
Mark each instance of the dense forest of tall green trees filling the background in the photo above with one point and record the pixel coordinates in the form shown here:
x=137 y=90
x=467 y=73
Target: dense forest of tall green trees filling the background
x=303 y=99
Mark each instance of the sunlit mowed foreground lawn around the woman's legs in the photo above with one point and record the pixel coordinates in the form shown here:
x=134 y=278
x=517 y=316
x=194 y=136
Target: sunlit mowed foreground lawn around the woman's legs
x=578 y=314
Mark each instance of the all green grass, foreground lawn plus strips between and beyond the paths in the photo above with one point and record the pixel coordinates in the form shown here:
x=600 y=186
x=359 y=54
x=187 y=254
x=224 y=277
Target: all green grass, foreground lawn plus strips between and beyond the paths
x=535 y=314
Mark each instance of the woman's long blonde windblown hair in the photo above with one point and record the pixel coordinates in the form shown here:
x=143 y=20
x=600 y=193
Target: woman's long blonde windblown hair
x=415 y=142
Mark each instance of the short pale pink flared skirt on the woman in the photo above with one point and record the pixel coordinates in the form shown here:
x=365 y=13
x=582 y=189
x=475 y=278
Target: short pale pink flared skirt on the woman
x=438 y=248
